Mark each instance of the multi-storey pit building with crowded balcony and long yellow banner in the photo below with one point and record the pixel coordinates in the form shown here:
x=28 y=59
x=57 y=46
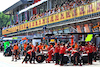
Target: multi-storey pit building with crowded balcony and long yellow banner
x=57 y=16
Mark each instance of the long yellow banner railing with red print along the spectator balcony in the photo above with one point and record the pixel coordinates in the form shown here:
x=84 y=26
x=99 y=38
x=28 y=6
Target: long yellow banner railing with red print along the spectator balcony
x=78 y=13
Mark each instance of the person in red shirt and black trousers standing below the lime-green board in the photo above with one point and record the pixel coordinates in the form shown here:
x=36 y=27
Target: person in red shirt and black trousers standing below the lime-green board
x=89 y=50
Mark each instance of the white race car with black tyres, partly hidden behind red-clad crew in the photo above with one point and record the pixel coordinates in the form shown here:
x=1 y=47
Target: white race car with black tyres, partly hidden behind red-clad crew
x=41 y=57
